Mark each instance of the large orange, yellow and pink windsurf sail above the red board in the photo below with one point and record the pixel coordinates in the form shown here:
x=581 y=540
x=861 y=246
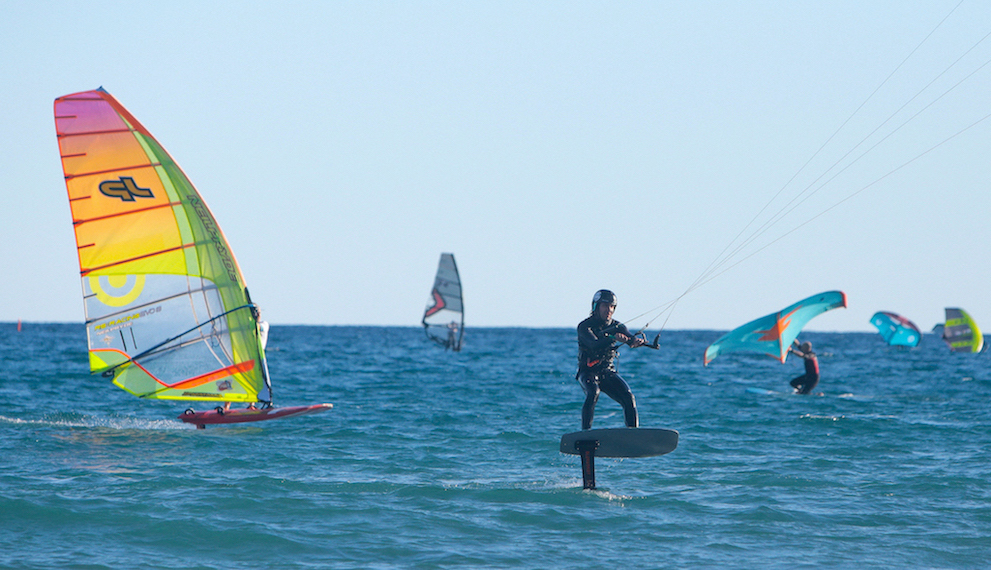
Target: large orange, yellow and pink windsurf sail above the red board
x=168 y=315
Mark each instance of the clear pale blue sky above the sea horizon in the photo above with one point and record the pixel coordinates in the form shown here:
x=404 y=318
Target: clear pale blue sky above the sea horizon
x=554 y=147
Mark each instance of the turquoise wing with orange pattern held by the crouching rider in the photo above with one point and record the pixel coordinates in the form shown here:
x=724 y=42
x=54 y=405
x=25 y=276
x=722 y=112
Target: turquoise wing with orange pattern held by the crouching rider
x=773 y=334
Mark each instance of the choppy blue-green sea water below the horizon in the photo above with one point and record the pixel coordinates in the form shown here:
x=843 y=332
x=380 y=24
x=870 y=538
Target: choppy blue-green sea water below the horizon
x=434 y=459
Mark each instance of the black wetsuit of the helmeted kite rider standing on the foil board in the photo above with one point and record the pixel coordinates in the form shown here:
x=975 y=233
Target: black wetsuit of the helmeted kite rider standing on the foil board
x=596 y=371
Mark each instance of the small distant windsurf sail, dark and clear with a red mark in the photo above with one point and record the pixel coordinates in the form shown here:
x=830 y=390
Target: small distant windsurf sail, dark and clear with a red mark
x=444 y=318
